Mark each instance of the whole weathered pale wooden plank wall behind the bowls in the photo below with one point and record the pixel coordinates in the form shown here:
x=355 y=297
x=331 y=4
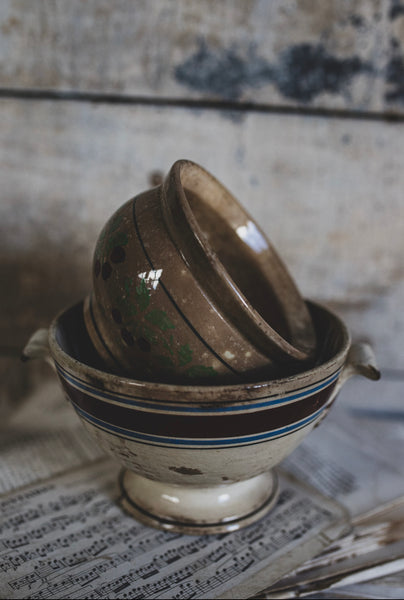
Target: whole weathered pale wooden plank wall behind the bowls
x=296 y=105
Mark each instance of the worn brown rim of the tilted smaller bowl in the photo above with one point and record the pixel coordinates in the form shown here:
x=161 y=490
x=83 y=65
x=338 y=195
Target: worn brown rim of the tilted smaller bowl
x=180 y=217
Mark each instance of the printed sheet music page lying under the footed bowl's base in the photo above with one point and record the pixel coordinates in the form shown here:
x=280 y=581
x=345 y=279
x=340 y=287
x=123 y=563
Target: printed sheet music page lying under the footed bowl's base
x=68 y=537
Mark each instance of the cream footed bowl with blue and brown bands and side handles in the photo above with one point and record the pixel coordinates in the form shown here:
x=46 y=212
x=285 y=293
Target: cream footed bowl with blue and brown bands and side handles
x=199 y=459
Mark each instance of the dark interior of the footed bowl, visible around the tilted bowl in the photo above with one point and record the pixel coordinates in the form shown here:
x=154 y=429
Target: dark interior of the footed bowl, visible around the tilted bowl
x=72 y=338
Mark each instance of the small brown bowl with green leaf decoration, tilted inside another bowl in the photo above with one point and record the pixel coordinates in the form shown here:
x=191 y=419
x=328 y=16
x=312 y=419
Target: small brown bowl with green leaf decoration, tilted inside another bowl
x=187 y=287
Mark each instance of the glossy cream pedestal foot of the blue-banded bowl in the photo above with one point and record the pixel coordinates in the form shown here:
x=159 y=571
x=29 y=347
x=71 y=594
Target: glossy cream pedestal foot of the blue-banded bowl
x=198 y=510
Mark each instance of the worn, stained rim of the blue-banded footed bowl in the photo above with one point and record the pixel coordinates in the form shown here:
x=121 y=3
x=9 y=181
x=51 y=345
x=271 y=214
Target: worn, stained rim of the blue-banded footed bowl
x=226 y=392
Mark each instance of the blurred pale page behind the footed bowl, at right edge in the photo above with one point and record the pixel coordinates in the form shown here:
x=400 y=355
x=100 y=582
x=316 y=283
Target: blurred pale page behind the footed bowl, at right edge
x=356 y=455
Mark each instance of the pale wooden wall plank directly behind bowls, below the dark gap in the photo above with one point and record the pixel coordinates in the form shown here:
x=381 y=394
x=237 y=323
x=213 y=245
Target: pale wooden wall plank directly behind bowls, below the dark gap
x=327 y=192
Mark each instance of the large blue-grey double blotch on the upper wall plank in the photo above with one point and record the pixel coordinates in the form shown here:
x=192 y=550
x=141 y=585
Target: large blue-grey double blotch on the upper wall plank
x=302 y=72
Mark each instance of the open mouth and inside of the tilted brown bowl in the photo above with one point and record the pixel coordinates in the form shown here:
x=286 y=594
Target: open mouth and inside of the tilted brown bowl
x=248 y=276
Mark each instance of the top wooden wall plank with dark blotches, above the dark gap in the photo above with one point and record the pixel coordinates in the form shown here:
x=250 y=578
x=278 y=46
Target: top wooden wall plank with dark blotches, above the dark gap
x=331 y=54
